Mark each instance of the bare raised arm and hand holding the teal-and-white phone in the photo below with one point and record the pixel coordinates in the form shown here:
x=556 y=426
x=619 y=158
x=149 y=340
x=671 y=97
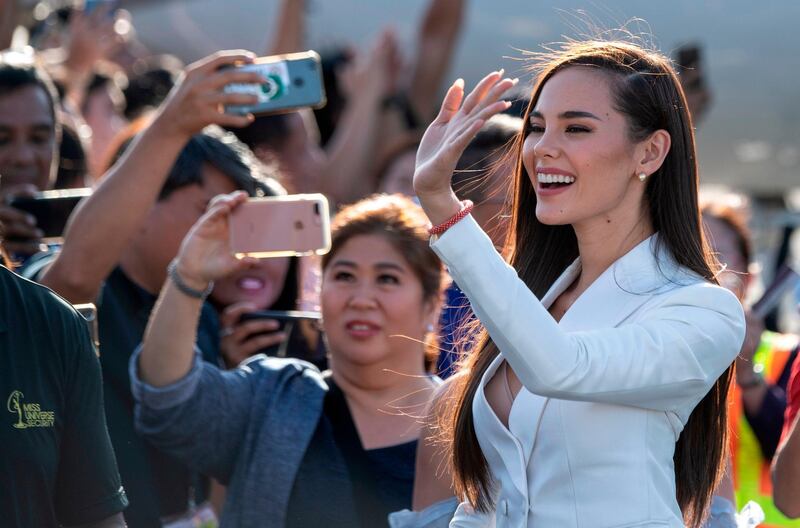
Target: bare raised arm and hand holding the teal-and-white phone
x=102 y=226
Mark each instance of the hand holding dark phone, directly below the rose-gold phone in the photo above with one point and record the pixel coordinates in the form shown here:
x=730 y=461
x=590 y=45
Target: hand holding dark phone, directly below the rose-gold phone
x=240 y=340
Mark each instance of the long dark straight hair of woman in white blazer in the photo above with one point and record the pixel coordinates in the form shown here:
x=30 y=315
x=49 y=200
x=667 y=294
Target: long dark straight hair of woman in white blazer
x=645 y=90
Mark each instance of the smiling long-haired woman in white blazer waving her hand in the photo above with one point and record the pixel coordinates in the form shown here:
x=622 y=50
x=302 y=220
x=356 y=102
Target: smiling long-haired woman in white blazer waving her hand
x=597 y=394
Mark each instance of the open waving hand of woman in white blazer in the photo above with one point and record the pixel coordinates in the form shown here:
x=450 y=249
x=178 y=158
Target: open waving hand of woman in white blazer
x=459 y=120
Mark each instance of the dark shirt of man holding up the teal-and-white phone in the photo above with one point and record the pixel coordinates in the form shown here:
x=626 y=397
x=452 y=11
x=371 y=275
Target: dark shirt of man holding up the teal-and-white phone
x=157 y=485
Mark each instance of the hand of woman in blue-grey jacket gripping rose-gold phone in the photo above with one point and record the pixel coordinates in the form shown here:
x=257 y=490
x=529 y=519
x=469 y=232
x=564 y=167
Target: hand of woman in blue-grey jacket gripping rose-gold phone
x=205 y=253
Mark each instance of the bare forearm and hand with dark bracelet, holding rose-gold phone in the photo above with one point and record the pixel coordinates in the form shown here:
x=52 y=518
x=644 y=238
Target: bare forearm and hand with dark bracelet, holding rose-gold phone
x=205 y=255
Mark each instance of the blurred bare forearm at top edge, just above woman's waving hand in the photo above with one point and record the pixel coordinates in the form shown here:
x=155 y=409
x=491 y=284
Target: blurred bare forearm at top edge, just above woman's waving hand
x=436 y=41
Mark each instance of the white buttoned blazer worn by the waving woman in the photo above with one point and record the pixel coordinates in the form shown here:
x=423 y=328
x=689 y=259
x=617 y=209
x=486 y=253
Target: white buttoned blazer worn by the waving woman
x=606 y=391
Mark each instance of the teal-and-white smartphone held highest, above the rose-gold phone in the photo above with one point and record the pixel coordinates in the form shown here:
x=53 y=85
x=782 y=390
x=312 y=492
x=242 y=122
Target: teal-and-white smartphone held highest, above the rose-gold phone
x=290 y=81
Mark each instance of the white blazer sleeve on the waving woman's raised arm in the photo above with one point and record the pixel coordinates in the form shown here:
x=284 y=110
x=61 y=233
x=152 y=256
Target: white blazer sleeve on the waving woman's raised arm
x=668 y=359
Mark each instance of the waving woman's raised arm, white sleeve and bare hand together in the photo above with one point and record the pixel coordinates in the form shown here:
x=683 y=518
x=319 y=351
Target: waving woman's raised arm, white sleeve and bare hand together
x=664 y=361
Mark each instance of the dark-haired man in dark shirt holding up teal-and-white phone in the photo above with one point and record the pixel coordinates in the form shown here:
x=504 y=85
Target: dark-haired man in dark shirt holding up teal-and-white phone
x=118 y=245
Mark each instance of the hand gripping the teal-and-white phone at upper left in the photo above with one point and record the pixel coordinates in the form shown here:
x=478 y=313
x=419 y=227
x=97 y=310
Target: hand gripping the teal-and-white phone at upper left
x=198 y=99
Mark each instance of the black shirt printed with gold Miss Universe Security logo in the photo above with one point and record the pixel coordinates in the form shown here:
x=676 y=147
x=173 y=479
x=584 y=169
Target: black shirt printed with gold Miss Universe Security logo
x=56 y=462
